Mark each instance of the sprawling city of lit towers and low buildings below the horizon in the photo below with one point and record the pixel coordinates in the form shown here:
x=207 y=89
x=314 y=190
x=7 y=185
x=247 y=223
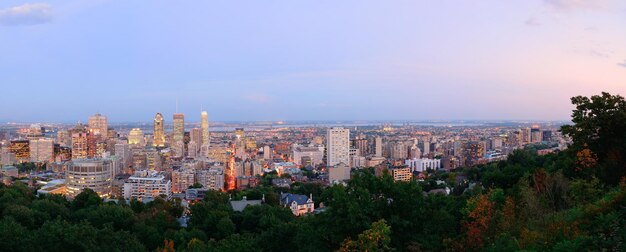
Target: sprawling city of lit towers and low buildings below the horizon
x=177 y=159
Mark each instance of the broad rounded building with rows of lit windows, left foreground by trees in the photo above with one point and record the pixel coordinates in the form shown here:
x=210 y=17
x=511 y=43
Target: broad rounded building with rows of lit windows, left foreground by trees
x=95 y=174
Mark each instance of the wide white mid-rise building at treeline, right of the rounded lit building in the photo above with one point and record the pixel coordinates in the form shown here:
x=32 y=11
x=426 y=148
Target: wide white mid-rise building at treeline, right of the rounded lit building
x=146 y=185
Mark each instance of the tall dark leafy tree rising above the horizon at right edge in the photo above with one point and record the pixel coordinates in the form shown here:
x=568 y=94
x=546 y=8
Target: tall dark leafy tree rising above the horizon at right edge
x=600 y=126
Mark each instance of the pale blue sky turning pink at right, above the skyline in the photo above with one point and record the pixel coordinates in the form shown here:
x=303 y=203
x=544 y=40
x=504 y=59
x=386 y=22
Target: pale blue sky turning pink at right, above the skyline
x=62 y=61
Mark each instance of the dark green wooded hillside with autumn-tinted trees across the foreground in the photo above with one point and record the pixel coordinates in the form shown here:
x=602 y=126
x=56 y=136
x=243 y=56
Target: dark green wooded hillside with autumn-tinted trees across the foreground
x=573 y=200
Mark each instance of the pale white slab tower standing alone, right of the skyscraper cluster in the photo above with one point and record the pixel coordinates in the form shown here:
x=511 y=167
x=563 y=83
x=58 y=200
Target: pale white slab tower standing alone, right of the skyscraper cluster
x=338 y=143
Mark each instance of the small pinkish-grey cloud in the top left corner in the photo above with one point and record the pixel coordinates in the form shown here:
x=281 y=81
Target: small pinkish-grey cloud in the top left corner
x=26 y=14
